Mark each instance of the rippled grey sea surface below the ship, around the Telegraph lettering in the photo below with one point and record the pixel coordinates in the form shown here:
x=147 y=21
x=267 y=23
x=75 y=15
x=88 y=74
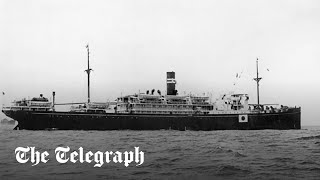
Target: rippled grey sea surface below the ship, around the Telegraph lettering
x=169 y=154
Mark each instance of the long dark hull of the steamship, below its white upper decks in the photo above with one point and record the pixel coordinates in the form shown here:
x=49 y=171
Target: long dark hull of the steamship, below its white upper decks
x=34 y=120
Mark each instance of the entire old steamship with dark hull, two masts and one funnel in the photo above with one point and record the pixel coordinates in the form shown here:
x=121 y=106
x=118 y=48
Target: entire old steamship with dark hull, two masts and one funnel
x=154 y=111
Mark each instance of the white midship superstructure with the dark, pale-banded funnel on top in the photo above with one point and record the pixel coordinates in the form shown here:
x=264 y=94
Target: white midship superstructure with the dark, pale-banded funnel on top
x=170 y=103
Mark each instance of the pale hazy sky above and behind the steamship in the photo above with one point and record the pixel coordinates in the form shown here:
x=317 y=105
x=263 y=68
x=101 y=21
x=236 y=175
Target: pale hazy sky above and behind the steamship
x=134 y=43
